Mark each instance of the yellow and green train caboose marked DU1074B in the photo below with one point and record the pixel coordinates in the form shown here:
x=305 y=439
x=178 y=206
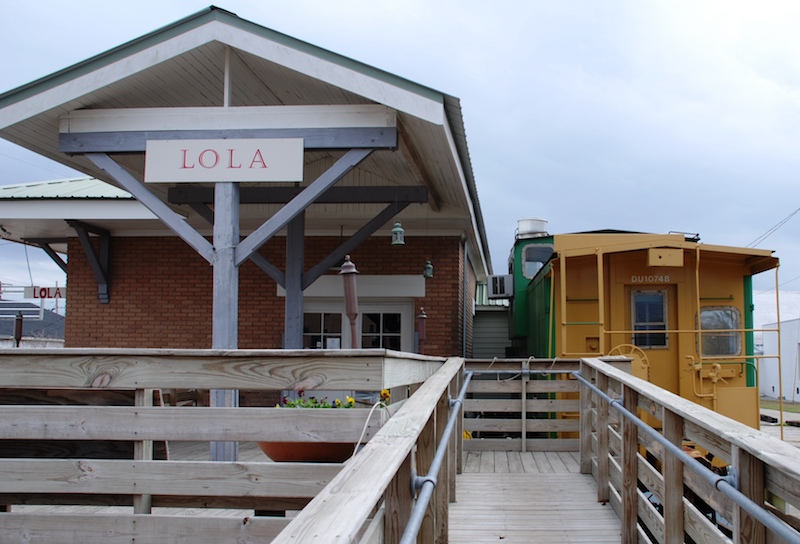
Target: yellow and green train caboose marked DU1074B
x=681 y=309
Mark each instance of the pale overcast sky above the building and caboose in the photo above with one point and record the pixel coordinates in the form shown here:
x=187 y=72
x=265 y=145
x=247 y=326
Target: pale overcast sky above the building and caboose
x=653 y=116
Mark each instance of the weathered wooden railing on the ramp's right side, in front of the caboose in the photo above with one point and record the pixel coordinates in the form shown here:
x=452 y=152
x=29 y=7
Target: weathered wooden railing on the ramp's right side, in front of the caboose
x=658 y=491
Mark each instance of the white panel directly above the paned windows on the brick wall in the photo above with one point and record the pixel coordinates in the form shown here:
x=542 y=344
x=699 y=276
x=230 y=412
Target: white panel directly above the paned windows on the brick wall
x=367 y=286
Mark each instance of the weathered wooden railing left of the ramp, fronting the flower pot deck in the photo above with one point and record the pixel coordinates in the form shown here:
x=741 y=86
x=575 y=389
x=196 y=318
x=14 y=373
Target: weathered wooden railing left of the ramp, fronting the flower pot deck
x=78 y=377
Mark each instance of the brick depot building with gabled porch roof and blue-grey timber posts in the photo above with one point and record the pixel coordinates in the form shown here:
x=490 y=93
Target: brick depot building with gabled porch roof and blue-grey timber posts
x=155 y=270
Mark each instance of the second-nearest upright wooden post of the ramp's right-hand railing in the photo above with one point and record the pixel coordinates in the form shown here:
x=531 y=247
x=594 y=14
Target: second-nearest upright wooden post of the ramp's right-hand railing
x=673 y=479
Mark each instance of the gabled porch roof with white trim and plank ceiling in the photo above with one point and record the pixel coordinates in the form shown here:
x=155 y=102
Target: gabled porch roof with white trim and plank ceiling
x=183 y=65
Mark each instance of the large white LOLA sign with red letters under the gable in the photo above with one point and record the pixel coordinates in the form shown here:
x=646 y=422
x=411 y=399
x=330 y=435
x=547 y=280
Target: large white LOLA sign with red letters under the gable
x=255 y=160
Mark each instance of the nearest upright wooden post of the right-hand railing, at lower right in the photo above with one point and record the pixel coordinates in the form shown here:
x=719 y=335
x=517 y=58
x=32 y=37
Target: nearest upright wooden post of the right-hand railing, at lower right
x=750 y=473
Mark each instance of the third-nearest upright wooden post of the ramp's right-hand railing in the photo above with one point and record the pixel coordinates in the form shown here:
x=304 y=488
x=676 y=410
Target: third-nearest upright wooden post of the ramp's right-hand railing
x=630 y=466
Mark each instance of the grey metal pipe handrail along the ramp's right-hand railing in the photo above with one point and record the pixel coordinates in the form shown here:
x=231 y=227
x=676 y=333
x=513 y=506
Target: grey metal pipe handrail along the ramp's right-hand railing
x=721 y=483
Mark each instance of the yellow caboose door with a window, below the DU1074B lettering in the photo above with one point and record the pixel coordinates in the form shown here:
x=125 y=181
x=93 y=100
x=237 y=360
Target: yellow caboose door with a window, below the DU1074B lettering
x=653 y=309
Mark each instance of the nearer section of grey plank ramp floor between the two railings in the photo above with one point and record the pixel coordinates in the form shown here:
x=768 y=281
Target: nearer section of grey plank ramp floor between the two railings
x=531 y=498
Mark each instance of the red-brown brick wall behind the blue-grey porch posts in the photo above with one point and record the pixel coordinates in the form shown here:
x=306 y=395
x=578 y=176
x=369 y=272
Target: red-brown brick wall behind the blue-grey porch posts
x=161 y=292
